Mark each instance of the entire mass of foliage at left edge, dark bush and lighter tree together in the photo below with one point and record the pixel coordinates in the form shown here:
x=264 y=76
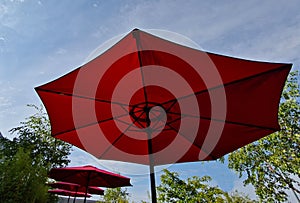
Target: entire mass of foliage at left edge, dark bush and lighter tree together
x=26 y=160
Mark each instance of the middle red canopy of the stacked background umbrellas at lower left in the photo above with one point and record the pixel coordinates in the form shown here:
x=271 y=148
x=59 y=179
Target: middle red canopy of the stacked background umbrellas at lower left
x=76 y=188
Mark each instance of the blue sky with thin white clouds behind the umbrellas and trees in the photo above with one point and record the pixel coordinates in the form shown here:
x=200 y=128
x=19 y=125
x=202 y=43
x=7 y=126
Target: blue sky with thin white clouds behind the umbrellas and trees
x=42 y=40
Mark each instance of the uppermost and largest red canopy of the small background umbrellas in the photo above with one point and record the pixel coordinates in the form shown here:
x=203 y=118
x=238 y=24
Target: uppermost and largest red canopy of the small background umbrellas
x=89 y=176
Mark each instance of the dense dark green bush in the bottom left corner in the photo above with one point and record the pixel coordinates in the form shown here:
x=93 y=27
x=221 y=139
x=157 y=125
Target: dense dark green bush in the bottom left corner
x=22 y=180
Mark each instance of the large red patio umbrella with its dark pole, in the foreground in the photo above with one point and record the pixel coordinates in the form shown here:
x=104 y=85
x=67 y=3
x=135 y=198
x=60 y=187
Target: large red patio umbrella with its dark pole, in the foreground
x=151 y=101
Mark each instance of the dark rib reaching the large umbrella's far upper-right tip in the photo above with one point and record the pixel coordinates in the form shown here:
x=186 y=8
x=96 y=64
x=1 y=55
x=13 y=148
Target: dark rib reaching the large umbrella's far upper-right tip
x=227 y=84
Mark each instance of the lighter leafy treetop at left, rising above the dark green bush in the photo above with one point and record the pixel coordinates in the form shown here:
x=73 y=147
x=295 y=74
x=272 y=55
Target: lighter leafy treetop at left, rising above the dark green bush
x=34 y=135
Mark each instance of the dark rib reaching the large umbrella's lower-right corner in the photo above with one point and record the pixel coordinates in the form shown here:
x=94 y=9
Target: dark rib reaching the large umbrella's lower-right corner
x=223 y=121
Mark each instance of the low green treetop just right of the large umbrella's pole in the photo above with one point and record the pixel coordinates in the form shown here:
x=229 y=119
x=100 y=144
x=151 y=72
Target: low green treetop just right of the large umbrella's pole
x=194 y=189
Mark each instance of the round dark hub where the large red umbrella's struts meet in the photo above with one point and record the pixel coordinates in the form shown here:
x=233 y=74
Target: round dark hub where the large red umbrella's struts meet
x=147 y=114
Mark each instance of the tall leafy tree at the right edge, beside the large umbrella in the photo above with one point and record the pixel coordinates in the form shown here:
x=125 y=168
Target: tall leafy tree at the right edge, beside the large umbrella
x=272 y=164
